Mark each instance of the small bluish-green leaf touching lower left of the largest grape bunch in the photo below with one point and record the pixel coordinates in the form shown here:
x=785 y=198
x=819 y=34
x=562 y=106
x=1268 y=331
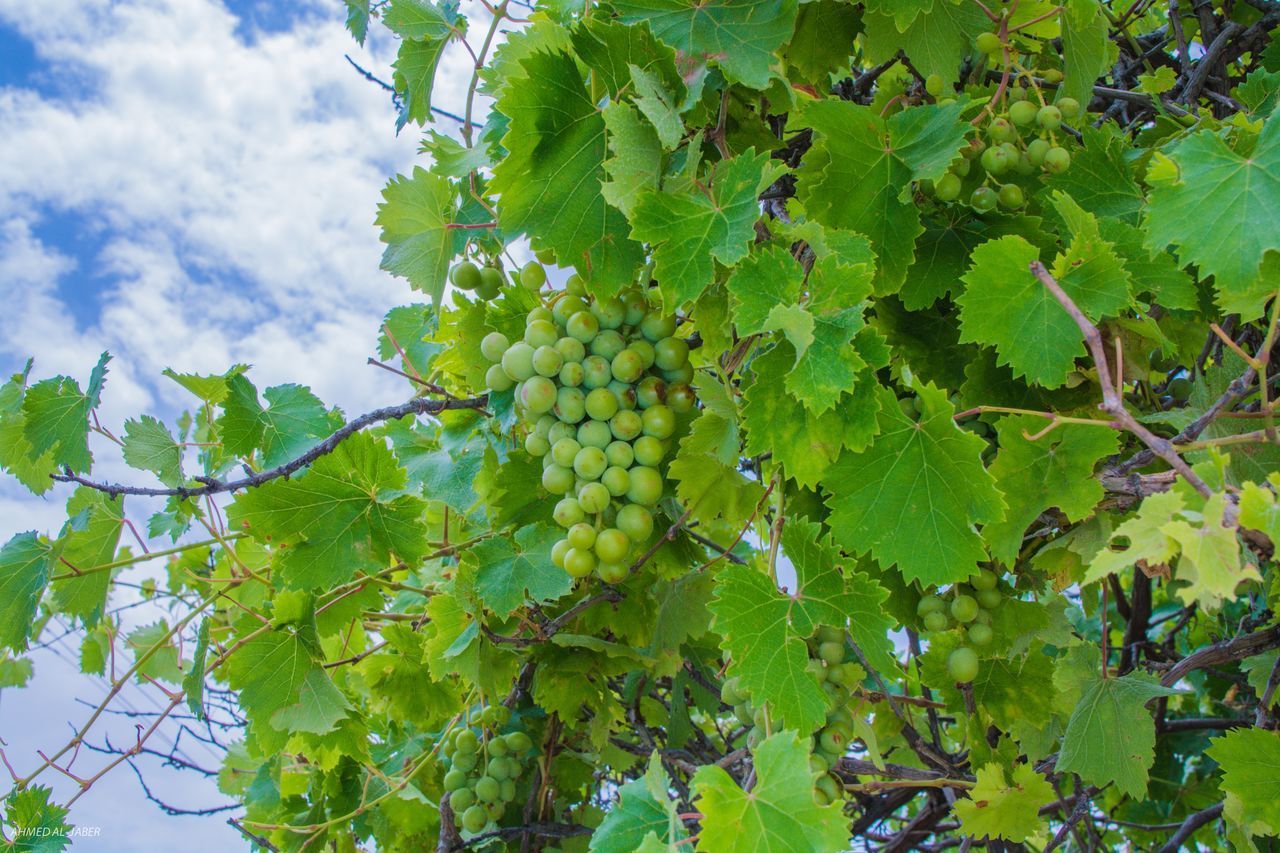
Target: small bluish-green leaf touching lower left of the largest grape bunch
x=515 y=571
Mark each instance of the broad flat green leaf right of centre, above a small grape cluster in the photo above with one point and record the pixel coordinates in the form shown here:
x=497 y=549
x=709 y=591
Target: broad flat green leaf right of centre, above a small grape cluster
x=913 y=498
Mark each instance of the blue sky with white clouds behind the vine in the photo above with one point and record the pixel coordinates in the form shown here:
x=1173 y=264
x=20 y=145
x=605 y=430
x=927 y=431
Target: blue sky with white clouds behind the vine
x=185 y=184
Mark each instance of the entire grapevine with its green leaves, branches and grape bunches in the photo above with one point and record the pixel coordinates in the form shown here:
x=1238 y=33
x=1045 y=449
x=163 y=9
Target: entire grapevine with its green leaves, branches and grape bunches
x=881 y=451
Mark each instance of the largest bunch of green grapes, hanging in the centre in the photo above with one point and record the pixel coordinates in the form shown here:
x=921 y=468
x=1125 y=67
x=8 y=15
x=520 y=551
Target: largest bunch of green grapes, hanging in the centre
x=598 y=384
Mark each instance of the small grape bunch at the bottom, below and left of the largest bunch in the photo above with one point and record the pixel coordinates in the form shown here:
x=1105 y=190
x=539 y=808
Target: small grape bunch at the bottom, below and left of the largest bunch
x=483 y=768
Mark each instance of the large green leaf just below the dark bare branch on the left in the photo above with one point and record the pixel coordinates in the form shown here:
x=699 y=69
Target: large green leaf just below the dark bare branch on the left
x=346 y=514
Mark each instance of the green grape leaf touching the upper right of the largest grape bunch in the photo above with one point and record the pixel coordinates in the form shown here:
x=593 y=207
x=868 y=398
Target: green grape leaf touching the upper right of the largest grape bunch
x=693 y=227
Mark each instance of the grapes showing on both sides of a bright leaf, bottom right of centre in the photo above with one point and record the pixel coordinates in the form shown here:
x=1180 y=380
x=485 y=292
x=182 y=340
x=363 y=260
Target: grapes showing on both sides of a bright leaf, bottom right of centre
x=839 y=678
